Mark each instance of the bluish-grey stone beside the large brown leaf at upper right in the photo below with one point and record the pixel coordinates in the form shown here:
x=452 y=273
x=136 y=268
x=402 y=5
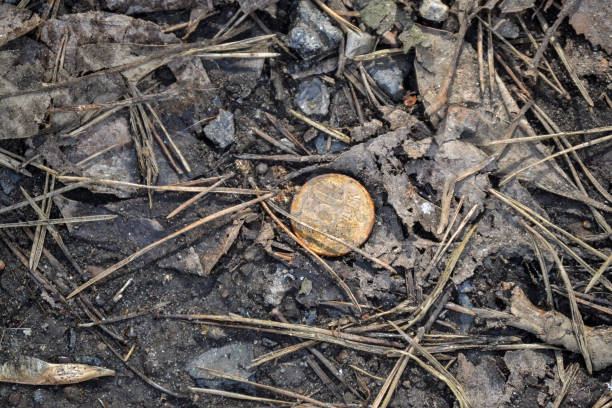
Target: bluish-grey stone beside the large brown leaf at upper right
x=389 y=74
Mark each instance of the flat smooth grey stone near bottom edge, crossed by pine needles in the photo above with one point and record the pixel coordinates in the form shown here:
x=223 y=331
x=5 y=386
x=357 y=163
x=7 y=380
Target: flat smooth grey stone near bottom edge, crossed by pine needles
x=230 y=359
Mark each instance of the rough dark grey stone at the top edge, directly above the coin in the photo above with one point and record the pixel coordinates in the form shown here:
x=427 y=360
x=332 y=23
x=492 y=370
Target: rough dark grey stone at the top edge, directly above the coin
x=312 y=33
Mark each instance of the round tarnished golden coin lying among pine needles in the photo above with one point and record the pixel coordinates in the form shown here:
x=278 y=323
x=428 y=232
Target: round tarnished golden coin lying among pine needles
x=337 y=205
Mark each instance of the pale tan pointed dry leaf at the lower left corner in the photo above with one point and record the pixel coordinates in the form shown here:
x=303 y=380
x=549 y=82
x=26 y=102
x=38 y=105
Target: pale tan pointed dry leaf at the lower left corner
x=30 y=370
